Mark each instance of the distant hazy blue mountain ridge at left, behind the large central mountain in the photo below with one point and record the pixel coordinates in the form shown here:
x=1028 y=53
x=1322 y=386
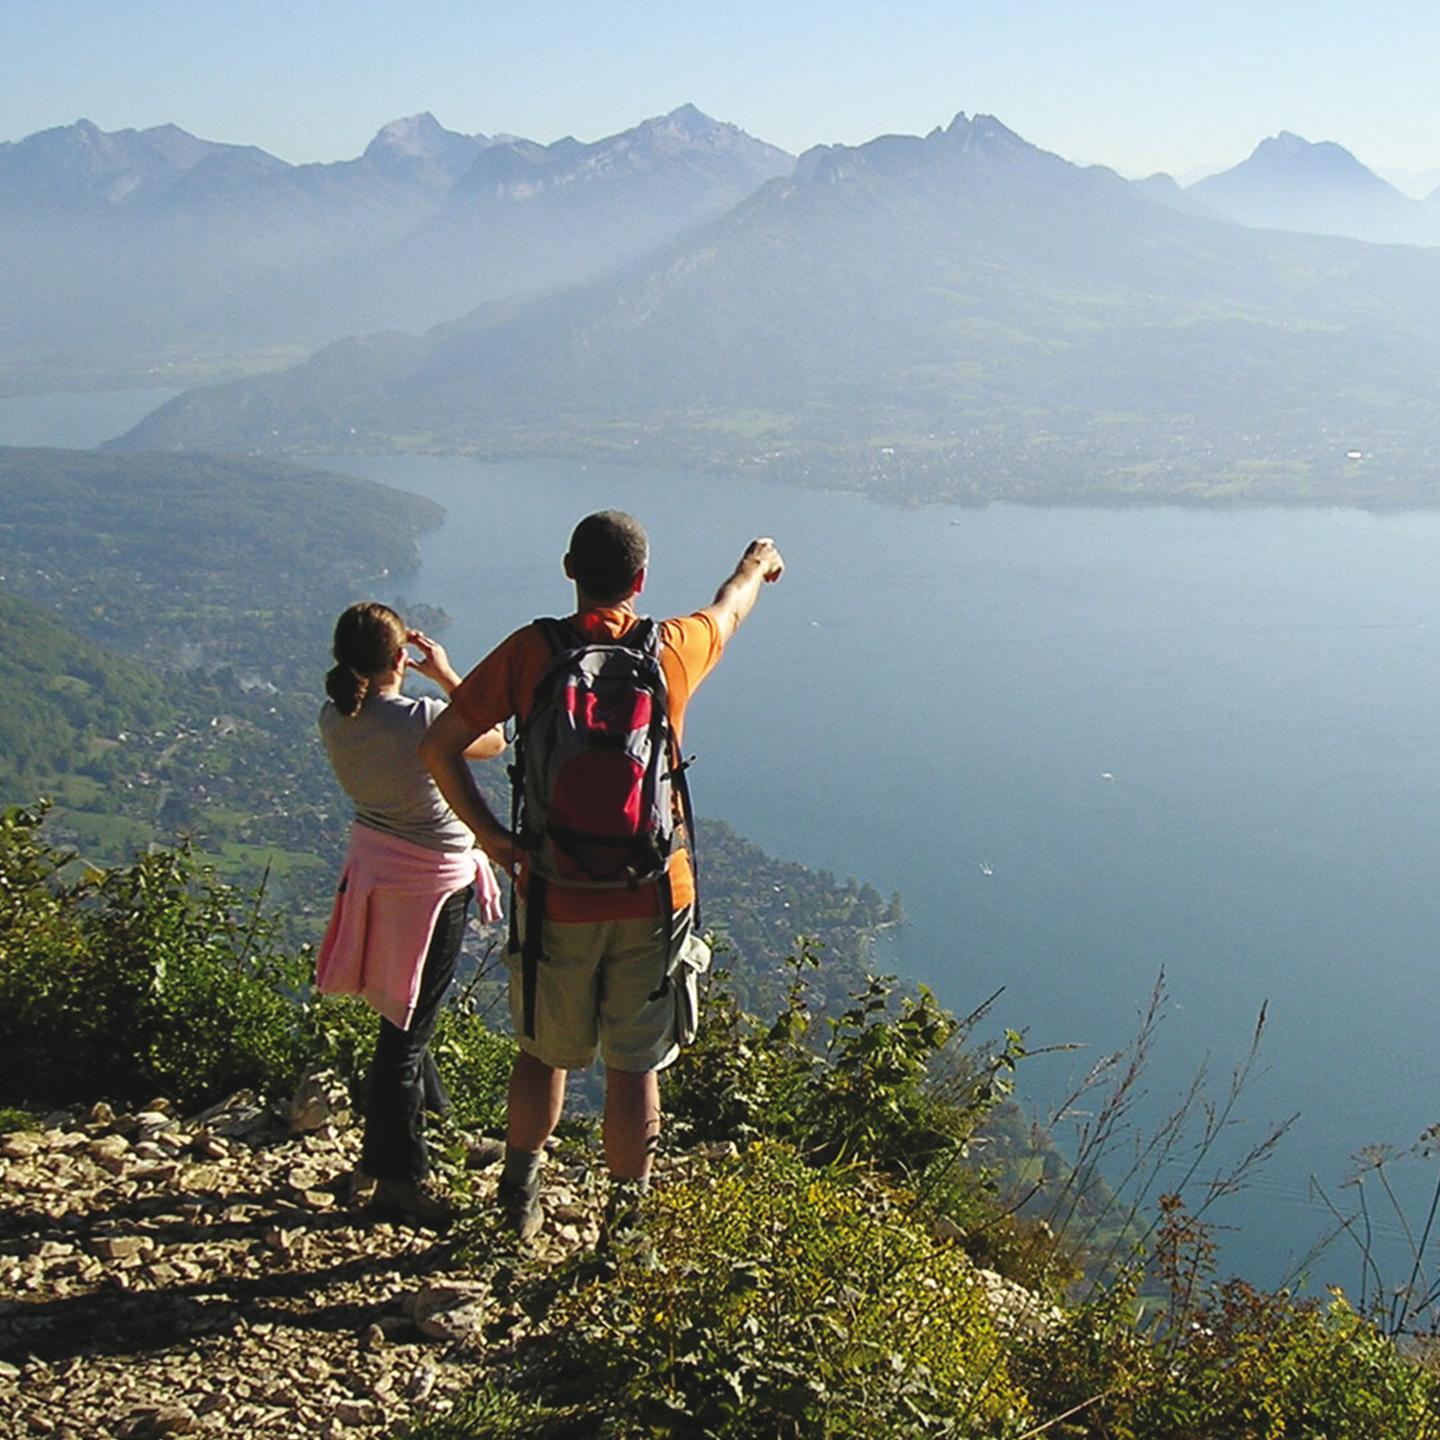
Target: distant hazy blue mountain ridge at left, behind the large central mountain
x=153 y=246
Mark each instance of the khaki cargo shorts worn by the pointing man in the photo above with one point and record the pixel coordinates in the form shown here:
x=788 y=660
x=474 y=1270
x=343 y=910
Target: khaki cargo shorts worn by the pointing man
x=595 y=990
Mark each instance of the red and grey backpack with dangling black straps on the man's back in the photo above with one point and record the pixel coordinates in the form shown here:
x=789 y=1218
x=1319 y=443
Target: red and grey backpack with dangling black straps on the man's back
x=598 y=790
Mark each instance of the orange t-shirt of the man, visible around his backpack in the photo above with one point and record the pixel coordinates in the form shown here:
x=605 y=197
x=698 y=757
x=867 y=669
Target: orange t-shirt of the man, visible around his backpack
x=503 y=686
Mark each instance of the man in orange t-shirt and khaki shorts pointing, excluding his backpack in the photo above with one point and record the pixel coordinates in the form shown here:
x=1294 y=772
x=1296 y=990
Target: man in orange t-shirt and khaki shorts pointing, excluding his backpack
x=603 y=950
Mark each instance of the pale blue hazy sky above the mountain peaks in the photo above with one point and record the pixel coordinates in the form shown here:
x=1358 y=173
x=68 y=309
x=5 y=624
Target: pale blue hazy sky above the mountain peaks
x=1134 y=84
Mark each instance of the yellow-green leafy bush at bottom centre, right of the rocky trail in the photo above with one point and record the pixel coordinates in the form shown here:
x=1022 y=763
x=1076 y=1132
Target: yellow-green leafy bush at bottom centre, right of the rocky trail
x=783 y=1301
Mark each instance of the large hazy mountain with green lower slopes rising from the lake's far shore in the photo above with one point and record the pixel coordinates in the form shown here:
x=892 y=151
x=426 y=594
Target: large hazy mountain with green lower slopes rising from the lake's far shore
x=955 y=316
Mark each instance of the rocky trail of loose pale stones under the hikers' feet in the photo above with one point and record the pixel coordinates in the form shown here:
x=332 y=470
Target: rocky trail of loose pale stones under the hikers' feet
x=220 y=1275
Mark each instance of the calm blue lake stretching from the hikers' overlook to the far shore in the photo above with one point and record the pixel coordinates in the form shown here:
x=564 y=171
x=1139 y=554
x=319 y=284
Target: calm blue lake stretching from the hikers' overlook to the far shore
x=1085 y=745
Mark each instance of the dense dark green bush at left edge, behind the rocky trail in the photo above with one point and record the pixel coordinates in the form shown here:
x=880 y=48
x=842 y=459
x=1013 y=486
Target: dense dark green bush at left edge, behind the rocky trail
x=140 y=980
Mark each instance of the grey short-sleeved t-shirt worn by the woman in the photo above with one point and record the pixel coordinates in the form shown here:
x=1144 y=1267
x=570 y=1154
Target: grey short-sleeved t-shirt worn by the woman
x=375 y=755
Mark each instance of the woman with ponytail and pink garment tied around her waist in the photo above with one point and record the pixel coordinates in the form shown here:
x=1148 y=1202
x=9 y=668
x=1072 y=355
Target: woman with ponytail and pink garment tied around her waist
x=400 y=912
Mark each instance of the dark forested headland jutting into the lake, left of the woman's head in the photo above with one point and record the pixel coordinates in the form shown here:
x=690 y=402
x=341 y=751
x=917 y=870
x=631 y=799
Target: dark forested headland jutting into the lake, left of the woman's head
x=199 y=562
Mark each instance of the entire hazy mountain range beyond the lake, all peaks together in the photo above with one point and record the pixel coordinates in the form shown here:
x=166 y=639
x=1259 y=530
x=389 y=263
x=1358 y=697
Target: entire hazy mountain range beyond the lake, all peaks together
x=960 y=315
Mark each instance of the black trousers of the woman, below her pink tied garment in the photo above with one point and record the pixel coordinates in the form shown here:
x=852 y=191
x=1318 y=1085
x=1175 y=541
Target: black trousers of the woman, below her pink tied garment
x=404 y=1082
